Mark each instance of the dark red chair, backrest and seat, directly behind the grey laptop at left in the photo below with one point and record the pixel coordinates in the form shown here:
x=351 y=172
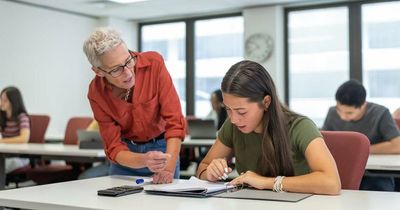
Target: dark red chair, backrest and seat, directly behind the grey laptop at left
x=58 y=173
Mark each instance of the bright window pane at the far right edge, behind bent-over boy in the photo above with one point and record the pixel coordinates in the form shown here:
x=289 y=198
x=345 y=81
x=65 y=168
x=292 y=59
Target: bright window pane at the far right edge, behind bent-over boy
x=380 y=53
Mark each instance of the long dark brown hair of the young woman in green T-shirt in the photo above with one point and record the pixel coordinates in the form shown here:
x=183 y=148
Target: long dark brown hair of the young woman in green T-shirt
x=248 y=79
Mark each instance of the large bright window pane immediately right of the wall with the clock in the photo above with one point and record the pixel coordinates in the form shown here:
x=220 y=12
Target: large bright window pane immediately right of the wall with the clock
x=318 y=56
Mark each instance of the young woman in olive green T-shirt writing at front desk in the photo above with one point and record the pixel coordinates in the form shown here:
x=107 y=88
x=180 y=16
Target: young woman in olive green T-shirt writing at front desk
x=274 y=147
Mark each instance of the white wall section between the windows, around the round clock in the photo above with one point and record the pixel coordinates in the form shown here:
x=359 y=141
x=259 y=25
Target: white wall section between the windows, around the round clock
x=269 y=20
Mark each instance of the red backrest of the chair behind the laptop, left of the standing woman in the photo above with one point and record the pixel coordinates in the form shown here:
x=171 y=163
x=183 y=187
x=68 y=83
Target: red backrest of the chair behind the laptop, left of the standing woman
x=73 y=125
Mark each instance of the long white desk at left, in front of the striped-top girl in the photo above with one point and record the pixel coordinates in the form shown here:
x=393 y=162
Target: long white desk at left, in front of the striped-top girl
x=47 y=151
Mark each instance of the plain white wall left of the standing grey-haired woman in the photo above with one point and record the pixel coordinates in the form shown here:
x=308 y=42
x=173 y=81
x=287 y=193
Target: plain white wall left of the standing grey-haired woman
x=41 y=53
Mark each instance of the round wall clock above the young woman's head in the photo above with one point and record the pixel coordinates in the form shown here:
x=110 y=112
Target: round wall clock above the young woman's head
x=258 y=47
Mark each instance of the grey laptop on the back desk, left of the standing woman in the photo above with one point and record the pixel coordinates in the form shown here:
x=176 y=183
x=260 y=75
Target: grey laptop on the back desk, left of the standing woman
x=89 y=140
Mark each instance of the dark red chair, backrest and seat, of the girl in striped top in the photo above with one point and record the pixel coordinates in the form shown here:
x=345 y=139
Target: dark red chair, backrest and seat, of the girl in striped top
x=39 y=124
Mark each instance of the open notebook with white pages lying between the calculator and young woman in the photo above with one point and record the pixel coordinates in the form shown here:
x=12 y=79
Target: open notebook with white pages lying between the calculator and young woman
x=193 y=187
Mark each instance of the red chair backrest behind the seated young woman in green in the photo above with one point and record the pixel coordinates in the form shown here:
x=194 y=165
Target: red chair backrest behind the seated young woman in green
x=350 y=151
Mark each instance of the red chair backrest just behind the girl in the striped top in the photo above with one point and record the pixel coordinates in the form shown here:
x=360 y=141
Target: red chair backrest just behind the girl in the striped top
x=39 y=124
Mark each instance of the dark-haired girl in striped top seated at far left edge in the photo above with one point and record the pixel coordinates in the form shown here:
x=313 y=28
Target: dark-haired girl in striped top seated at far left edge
x=14 y=124
